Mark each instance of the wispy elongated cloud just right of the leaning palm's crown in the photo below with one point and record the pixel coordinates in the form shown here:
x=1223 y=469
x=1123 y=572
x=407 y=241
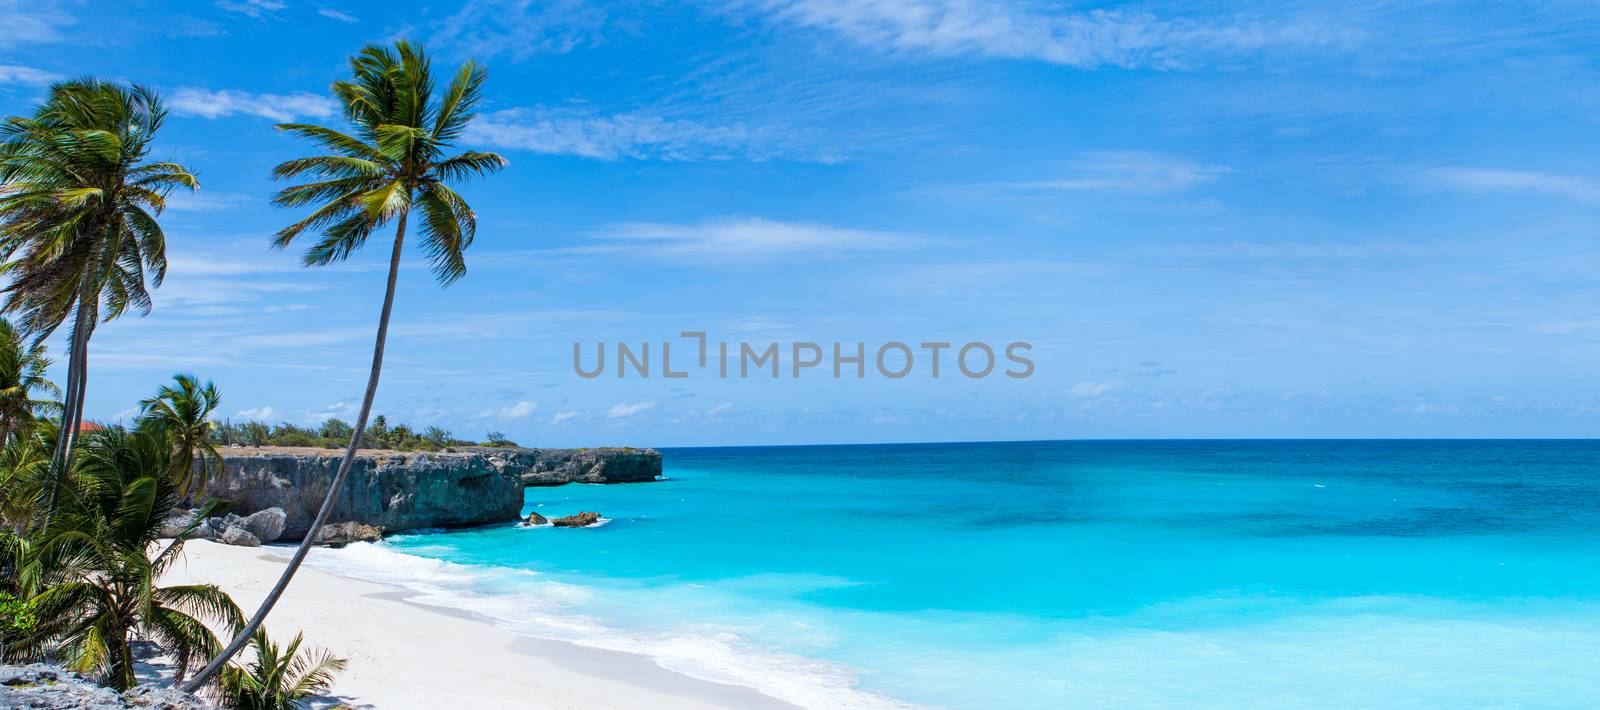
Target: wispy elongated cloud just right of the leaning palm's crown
x=636 y=137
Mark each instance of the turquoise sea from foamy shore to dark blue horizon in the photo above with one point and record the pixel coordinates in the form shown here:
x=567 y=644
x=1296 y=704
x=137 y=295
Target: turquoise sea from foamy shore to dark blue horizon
x=1070 y=573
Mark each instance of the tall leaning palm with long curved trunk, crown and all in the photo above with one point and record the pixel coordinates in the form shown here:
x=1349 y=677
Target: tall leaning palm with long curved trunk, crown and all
x=394 y=162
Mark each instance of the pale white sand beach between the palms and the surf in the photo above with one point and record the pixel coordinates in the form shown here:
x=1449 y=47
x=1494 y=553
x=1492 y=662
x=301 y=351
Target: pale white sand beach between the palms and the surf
x=415 y=656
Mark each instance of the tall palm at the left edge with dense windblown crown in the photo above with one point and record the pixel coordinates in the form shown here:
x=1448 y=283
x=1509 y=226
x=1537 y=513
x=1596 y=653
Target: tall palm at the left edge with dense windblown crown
x=78 y=221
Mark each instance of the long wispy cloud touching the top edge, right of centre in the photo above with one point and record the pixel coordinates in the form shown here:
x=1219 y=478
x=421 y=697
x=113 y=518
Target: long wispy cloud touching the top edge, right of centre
x=1044 y=33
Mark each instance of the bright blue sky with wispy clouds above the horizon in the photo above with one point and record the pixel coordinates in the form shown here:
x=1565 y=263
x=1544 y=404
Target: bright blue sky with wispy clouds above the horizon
x=1244 y=220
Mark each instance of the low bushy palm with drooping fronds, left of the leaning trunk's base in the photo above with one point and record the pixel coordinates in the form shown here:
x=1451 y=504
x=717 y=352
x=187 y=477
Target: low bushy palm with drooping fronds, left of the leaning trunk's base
x=97 y=580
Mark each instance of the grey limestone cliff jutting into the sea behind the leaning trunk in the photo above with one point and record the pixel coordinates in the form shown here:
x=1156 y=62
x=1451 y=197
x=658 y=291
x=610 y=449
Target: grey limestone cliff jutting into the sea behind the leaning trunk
x=398 y=492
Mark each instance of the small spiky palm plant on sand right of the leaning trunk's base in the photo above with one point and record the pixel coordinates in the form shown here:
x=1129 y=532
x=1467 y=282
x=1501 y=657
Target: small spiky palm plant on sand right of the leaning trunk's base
x=279 y=679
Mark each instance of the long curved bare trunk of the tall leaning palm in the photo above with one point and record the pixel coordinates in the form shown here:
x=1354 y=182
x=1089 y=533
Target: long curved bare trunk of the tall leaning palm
x=334 y=490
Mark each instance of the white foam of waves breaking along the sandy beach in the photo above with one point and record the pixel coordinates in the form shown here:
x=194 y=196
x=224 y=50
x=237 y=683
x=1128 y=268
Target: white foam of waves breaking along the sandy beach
x=529 y=604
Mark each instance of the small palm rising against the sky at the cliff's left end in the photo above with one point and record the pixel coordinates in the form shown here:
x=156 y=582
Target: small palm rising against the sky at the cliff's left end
x=183 y=410
